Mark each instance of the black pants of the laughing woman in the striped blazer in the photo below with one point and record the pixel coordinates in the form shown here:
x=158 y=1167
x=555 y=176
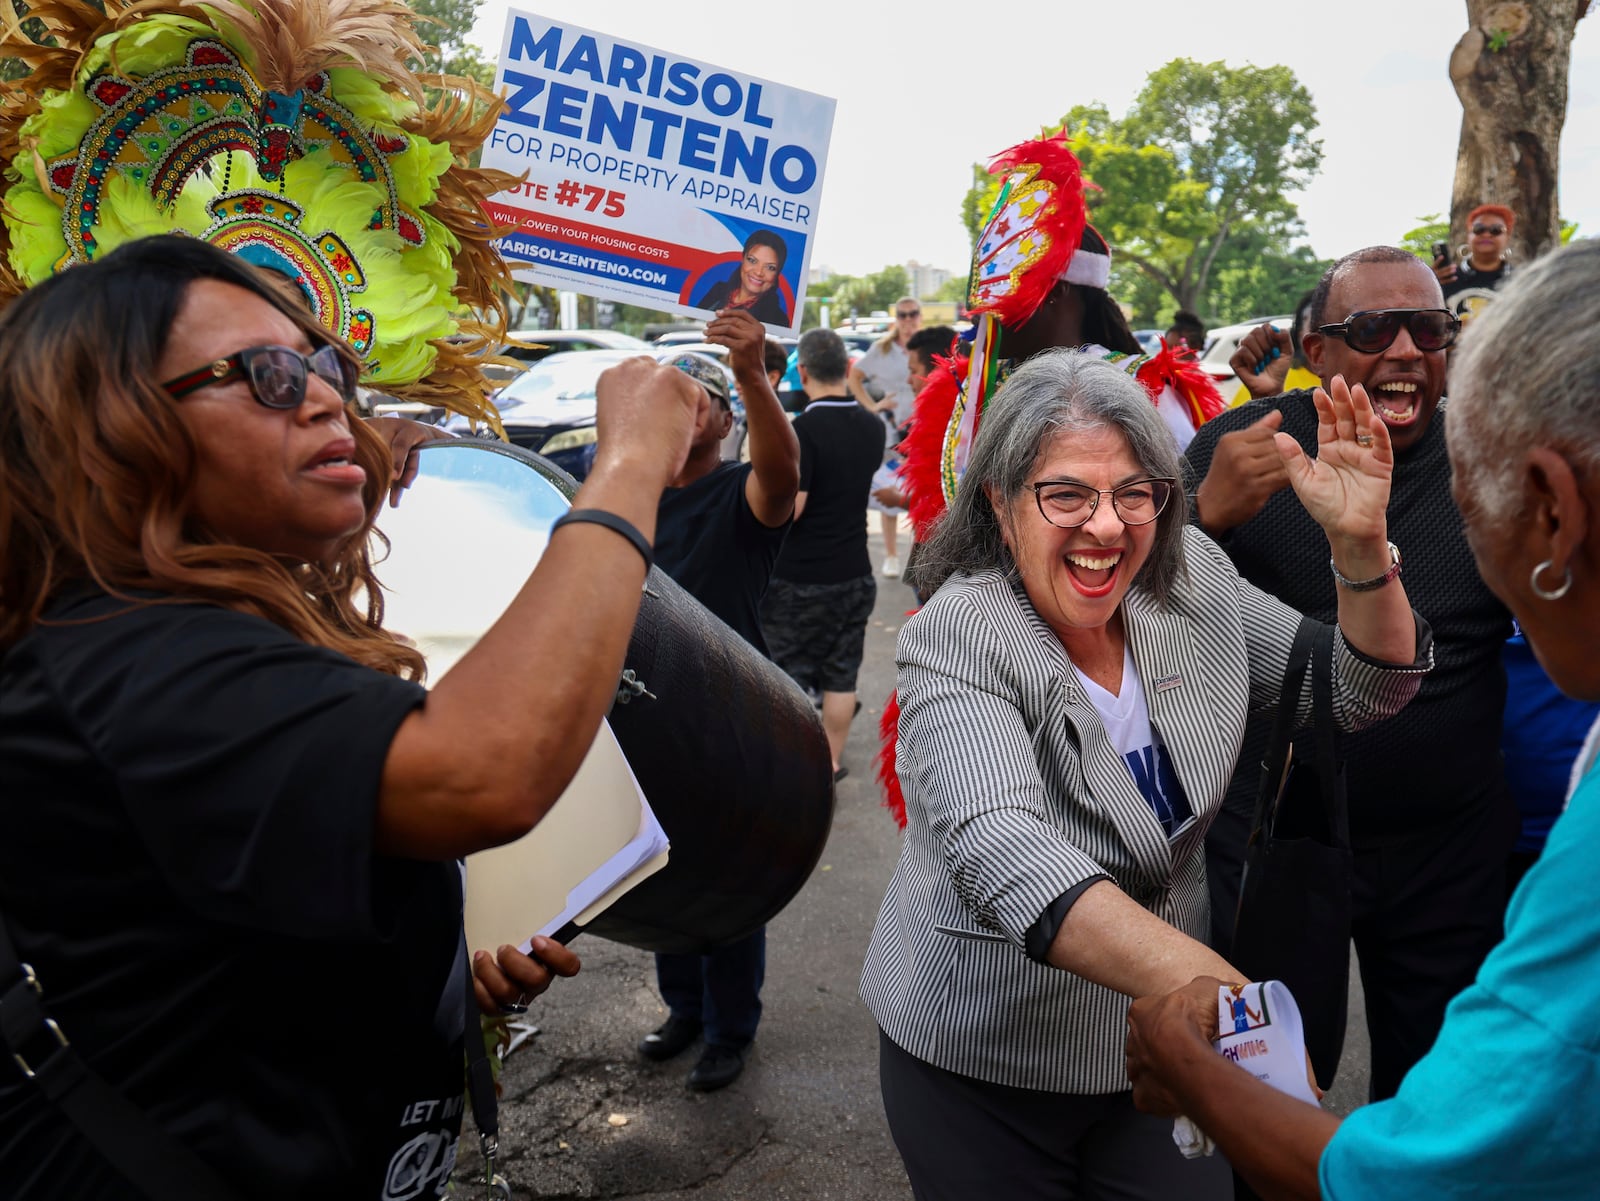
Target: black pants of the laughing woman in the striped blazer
x=964 y=1139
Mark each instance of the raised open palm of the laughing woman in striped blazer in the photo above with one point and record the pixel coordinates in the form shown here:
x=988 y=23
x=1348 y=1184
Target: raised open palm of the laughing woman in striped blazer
x=1346 y=487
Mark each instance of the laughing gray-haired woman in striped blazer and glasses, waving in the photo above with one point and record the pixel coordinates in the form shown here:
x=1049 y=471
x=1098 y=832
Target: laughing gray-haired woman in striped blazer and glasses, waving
x=1073 y=703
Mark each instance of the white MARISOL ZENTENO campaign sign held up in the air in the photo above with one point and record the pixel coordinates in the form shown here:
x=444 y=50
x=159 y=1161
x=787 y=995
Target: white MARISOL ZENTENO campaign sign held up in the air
x=652 y=178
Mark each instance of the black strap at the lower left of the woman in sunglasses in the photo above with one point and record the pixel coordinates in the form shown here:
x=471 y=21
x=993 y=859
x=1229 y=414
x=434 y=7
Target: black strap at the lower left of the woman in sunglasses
x=146 y=1155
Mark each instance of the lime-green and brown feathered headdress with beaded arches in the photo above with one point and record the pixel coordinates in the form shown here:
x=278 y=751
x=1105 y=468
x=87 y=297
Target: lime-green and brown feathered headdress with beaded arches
x=290 y=132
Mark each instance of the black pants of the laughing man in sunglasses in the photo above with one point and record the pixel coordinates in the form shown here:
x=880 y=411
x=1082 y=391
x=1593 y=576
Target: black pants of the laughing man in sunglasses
x=1426 y=909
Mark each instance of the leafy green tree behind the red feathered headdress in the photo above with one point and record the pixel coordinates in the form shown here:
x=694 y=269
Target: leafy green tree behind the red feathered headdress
x=1207 y=156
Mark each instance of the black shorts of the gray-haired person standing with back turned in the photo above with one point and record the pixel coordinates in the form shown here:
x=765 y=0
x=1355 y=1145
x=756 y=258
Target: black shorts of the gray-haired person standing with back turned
x=817 y=632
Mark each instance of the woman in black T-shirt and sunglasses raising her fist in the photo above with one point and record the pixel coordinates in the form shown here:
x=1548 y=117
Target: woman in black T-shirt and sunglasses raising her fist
x=230 y=815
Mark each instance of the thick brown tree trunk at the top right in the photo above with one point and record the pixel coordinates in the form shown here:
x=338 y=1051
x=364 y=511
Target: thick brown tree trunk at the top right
x=1510 y=71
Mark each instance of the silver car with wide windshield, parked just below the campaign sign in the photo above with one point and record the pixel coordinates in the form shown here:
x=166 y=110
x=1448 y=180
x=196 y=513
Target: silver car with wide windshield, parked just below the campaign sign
x=551 y=407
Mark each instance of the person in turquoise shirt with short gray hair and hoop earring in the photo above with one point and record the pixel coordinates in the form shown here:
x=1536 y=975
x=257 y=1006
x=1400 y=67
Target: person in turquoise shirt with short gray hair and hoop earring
x=1506 y=1106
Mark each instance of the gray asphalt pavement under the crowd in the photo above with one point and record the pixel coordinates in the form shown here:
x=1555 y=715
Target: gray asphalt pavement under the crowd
x=583 y=1115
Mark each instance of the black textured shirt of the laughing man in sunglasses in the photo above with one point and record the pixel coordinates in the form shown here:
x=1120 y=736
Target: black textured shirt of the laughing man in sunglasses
x=1441 y=756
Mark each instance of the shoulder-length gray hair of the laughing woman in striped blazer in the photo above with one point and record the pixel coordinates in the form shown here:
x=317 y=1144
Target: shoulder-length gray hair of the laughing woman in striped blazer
x=1055 y=393
